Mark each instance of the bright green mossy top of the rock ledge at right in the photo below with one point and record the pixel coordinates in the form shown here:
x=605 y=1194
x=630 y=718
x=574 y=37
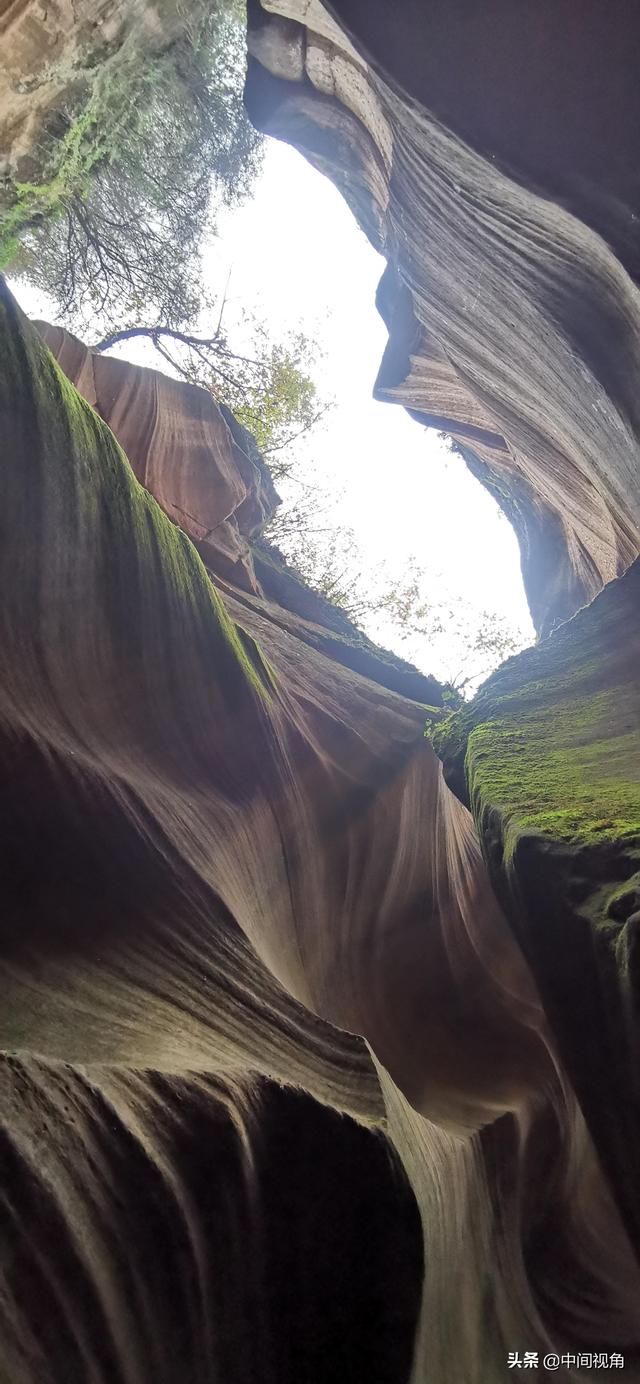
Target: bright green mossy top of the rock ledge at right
x=551 y=747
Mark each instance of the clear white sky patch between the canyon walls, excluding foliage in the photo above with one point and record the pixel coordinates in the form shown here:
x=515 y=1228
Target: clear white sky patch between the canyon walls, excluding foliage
x=300 y=261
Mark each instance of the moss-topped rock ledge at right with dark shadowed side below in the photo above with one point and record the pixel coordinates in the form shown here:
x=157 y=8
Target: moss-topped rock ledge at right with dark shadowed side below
x=549 y=758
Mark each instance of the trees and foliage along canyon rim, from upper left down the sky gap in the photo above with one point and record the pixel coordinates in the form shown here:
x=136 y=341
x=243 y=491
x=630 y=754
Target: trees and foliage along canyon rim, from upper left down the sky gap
x=132 y=182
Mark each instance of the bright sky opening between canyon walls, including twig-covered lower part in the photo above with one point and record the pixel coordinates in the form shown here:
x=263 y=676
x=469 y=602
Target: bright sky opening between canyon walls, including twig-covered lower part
x=379 y=516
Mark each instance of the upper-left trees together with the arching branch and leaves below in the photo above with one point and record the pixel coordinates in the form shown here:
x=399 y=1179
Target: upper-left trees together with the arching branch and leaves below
x=136 y=176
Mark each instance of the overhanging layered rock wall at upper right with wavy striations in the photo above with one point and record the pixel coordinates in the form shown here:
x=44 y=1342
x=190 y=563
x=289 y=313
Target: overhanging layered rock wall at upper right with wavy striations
x=509 y=211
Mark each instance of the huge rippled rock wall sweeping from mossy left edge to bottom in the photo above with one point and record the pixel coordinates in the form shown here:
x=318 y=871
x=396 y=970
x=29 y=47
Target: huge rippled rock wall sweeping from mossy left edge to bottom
x=228 y=860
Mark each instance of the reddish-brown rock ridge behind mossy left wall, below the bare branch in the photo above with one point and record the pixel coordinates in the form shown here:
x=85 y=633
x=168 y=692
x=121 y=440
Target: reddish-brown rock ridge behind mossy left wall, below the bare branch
x=207 y=474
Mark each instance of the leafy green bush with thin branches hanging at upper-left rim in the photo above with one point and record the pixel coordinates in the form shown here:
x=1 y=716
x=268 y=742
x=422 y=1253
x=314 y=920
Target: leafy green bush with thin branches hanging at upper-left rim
x=135 y=178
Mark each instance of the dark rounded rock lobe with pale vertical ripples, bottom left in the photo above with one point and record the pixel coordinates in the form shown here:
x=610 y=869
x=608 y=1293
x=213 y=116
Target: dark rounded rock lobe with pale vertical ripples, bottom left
x=156 y=1230
